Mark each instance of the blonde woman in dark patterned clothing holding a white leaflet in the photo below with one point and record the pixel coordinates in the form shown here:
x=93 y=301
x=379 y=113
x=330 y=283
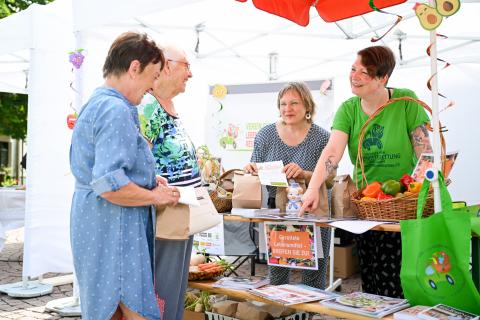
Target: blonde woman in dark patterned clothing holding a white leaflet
x=298 y=142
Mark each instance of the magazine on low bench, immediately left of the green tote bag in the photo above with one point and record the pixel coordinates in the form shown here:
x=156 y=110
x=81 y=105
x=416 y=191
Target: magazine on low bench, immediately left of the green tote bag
x=366 y=304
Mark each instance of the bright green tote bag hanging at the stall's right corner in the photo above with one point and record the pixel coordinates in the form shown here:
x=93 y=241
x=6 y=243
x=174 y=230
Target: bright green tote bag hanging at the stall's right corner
x=436 y=255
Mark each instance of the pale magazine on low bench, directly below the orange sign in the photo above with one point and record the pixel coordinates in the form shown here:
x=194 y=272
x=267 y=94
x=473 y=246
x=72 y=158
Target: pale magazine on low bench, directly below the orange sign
x=288 y=294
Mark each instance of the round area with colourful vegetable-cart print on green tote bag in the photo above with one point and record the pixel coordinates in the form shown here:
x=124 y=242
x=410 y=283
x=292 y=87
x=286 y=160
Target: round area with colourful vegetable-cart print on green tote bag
x=437 y=272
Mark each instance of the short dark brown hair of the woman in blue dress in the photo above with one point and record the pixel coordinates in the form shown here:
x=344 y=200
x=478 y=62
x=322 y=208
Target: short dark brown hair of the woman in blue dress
x=131 y=46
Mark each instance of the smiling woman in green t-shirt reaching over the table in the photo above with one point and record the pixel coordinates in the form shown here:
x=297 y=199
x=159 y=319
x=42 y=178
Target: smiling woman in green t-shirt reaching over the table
x=393 y=141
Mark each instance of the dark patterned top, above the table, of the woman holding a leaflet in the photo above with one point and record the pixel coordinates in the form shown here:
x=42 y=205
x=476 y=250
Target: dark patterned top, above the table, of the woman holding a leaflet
x=269 y=147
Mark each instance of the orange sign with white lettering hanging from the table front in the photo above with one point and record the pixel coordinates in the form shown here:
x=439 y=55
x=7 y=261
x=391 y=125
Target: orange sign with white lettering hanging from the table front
x=292 y=245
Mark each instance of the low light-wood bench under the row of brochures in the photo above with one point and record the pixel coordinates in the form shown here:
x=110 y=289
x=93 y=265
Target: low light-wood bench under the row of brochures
x=315 y=307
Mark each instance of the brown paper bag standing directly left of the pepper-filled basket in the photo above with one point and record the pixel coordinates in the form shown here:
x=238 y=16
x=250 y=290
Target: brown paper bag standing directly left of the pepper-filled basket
x=342 y=207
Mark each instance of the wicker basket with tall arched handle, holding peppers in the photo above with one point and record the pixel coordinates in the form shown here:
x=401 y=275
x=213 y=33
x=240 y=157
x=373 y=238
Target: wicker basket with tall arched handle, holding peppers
x=397 y=208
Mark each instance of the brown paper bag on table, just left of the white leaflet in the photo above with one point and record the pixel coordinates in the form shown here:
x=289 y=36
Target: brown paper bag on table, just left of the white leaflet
x=247 y=191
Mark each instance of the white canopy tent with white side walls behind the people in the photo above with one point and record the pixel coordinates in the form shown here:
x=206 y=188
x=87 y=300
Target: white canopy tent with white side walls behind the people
x=234 y=43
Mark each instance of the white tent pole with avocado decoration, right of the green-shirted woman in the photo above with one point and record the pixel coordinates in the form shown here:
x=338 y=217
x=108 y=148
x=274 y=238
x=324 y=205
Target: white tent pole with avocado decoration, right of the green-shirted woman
x=437 y=161
